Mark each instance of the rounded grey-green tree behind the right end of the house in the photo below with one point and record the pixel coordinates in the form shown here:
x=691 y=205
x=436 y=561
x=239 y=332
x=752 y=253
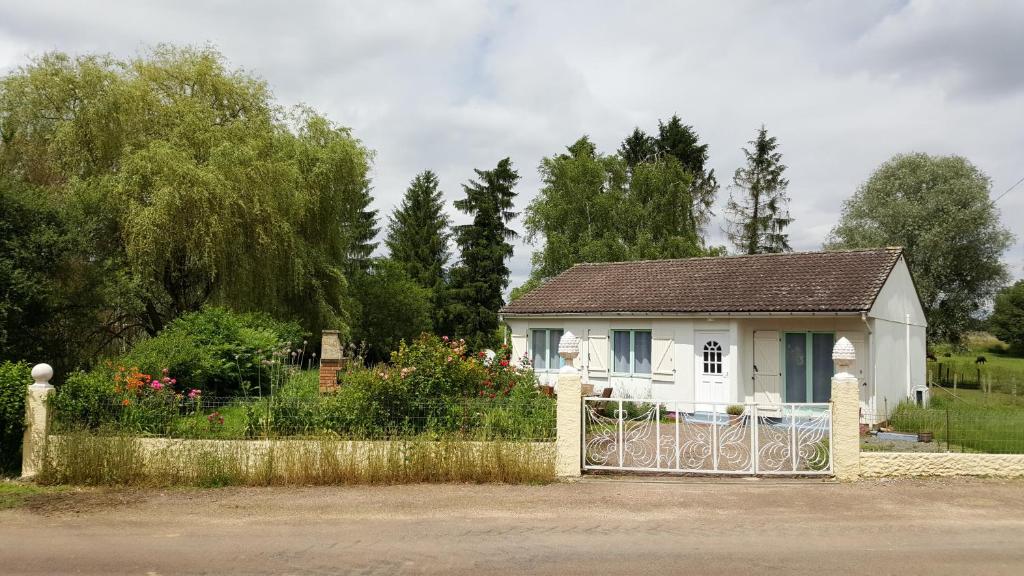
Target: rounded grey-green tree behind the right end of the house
x=938 y=210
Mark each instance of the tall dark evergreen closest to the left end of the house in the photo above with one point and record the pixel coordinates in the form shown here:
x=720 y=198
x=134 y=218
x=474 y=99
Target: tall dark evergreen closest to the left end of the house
x=480 y=280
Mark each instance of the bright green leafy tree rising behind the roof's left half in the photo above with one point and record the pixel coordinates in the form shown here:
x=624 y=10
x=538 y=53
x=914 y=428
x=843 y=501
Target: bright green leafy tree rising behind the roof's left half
x=595 y=209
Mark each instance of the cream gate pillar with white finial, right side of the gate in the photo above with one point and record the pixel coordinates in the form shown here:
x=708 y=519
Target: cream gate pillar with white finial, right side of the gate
x=846 y=416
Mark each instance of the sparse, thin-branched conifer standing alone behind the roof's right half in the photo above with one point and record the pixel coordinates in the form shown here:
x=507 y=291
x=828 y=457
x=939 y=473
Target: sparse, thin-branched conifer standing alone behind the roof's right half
x=758 y=219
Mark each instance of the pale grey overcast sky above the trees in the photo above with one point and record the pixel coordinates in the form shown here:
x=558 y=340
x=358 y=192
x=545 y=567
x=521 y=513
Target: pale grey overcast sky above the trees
x=454 y=86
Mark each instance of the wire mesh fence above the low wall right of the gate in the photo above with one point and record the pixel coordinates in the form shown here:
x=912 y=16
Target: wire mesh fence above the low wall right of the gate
x=961 y=429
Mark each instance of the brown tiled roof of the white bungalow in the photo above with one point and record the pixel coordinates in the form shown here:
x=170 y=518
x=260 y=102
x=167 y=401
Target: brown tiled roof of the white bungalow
x=841 y=281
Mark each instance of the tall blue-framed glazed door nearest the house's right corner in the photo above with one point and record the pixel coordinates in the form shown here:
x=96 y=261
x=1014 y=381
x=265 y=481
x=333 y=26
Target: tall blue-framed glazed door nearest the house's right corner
x=807 y=366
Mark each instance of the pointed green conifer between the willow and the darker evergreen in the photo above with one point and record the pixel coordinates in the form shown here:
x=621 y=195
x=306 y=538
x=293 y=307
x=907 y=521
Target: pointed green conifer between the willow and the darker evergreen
x=418 y=236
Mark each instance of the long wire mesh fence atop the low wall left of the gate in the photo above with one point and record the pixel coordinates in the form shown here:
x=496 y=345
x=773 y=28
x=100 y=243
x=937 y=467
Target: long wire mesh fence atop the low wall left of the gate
x=530 y=419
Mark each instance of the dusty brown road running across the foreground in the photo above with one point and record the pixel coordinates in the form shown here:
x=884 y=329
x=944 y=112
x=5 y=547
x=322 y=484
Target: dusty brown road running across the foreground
x=594 y=527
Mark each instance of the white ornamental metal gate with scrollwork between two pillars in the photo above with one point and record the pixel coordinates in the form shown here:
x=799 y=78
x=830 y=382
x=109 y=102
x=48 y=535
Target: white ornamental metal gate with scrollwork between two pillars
x=716 y=439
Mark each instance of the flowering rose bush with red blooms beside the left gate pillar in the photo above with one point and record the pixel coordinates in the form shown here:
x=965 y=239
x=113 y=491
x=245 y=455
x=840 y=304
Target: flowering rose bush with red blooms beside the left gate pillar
x=436 y=385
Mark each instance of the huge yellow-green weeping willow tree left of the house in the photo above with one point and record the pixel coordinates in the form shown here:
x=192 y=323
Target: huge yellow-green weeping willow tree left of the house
x=186 y=185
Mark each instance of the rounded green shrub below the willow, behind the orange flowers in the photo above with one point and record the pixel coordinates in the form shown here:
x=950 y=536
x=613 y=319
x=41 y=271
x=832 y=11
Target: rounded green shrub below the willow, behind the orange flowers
x=218 y=351
